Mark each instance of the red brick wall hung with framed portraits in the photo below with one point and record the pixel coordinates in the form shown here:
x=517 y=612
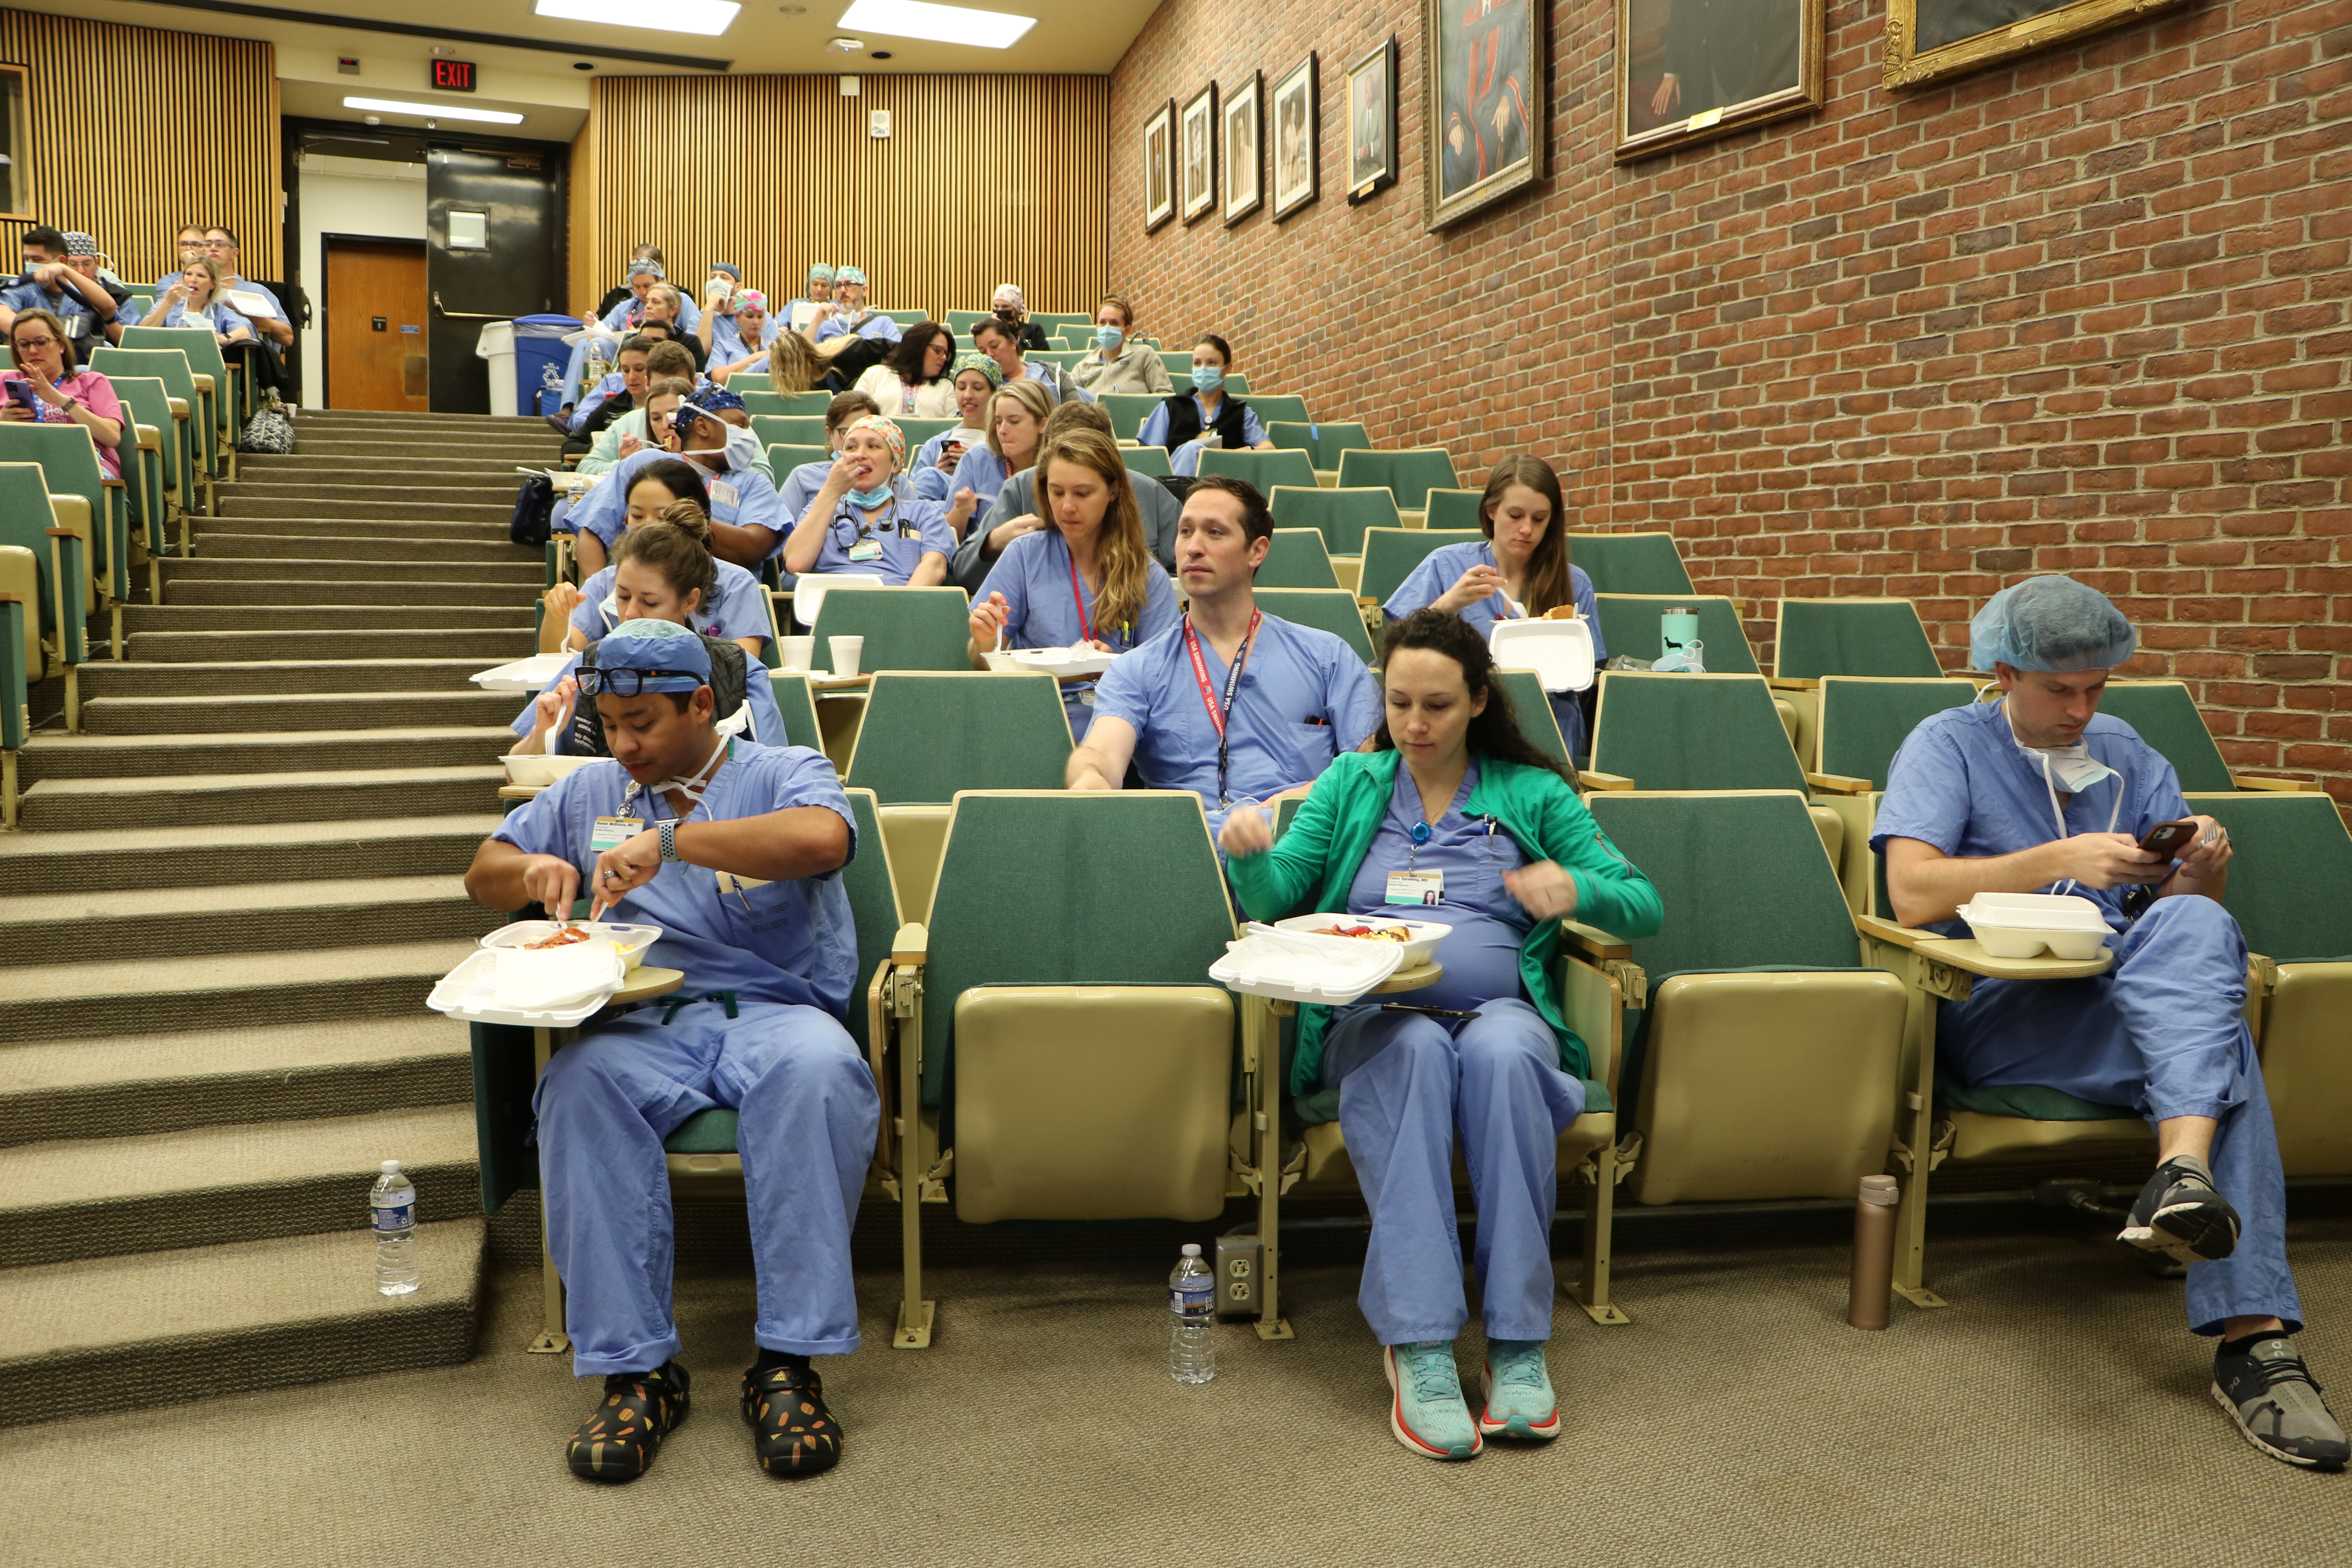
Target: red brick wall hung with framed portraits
x=2078 y=314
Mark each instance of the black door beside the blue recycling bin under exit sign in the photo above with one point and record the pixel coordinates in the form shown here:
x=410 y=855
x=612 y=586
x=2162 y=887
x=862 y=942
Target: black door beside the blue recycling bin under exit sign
x=493 y=253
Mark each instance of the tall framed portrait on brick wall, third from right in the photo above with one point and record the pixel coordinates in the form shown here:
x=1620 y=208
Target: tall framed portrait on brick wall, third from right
x=1483 y=105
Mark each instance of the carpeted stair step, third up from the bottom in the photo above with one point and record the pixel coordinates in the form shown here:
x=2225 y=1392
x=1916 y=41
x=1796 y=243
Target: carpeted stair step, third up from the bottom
x=123 y=1085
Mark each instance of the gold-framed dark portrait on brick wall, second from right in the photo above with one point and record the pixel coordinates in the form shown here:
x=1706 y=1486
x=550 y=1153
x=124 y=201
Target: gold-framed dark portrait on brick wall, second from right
x=1702 y=69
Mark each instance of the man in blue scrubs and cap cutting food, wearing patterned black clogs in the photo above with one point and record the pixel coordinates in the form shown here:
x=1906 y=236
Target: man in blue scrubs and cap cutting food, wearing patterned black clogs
x=735 y=852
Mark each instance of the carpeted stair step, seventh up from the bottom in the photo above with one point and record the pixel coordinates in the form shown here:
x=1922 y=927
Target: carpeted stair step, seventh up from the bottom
x=65 y=805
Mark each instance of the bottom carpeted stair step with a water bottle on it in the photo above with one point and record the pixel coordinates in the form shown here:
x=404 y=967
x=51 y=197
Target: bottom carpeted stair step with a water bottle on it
x=159 y=1329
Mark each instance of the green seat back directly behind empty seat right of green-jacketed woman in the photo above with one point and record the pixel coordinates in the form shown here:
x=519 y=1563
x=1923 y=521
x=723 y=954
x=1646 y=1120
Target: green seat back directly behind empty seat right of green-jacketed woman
x=1692 y=732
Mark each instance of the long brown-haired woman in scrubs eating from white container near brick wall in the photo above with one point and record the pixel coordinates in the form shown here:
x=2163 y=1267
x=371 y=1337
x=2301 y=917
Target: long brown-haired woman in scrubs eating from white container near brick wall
x=1523 y=570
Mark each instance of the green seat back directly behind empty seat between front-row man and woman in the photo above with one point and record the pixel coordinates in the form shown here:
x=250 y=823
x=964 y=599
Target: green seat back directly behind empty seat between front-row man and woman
x=928 y=737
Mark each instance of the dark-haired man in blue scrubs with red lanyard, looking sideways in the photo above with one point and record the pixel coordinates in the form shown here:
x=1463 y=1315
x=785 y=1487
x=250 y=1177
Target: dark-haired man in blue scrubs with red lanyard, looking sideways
x=1236 y=706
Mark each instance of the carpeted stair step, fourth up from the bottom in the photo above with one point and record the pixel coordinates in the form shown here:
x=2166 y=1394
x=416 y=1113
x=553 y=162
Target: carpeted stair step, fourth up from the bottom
x=215 y=993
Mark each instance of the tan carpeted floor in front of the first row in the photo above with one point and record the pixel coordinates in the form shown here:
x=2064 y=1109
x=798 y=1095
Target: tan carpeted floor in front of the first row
x=2054 y=1416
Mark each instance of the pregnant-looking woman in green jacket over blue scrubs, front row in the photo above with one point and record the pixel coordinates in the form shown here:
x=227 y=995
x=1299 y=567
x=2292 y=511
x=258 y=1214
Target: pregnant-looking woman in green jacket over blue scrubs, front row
x=1462 y=819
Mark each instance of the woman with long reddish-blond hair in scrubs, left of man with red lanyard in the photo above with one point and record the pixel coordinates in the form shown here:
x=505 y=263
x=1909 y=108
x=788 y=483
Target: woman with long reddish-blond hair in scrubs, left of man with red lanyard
x=1085 y=579
